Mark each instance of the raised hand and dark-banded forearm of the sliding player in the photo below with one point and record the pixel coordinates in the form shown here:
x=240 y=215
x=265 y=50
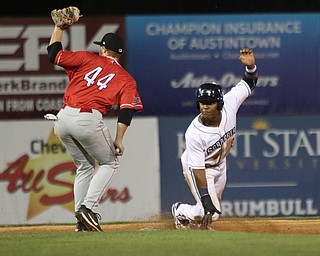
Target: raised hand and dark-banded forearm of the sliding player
x=251 y=74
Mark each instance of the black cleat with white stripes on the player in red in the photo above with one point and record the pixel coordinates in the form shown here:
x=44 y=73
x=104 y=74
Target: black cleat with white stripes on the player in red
x=88 y=218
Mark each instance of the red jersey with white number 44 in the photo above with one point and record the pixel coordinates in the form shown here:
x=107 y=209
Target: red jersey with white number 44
x=97 y=82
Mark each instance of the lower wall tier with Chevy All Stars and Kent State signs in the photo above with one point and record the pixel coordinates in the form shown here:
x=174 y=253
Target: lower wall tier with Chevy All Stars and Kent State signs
x=273 y=170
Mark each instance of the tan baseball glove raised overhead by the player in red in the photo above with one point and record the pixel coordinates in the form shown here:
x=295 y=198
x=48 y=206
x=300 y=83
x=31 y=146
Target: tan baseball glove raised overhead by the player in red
x=64 y=18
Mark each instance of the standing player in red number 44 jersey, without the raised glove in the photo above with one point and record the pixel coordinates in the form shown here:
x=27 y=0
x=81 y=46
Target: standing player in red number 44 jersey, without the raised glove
x=96 y=83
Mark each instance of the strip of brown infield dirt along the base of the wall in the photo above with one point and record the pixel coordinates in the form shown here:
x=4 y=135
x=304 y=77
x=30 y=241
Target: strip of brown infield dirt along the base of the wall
x=307 y=226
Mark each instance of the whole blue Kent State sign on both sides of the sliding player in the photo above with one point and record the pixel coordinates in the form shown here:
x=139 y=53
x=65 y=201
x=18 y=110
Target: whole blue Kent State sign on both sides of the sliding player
x=273 y=167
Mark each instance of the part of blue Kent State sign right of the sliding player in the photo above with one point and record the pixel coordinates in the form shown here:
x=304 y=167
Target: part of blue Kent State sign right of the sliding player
x=274 y=167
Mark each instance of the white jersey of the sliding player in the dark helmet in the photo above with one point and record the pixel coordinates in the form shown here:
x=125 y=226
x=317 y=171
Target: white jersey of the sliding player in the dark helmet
x=209 y=146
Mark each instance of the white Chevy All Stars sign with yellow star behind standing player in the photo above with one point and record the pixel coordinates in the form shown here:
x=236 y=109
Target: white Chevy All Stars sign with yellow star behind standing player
x=37 y=175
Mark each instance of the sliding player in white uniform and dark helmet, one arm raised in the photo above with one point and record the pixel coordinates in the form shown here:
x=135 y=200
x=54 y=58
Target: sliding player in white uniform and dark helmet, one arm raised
x=209 y=139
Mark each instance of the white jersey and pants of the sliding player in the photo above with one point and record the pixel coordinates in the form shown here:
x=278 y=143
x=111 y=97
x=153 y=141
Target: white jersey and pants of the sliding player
x=207 y=148
